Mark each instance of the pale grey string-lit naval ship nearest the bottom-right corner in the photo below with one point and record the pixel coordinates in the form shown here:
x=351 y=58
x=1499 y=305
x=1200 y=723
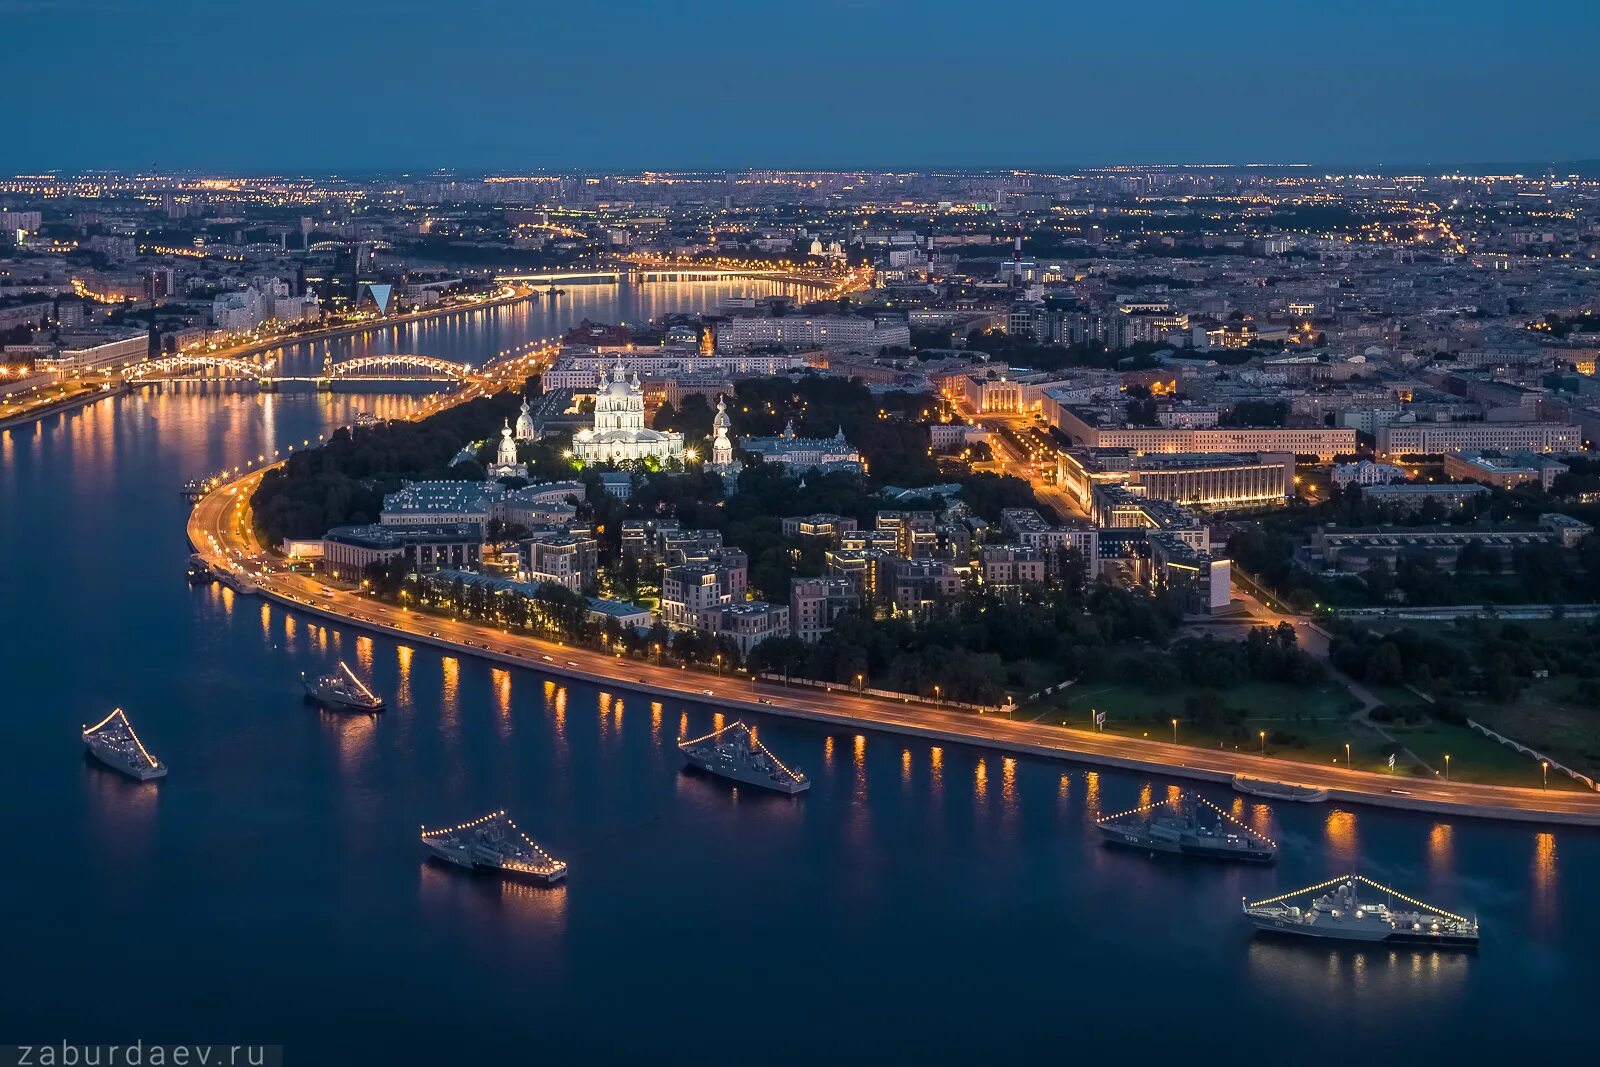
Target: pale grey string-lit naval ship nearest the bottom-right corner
x=1338 y=914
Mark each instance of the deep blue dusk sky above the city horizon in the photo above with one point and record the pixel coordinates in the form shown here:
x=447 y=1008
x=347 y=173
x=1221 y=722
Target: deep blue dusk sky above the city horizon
x=298 y=86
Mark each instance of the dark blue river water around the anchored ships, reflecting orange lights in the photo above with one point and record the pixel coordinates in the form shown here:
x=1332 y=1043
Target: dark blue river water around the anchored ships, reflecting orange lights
x=919 y=905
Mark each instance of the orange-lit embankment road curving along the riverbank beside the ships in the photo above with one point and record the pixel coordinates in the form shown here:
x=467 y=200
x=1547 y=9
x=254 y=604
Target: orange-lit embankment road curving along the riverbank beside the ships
x=223 y=511
